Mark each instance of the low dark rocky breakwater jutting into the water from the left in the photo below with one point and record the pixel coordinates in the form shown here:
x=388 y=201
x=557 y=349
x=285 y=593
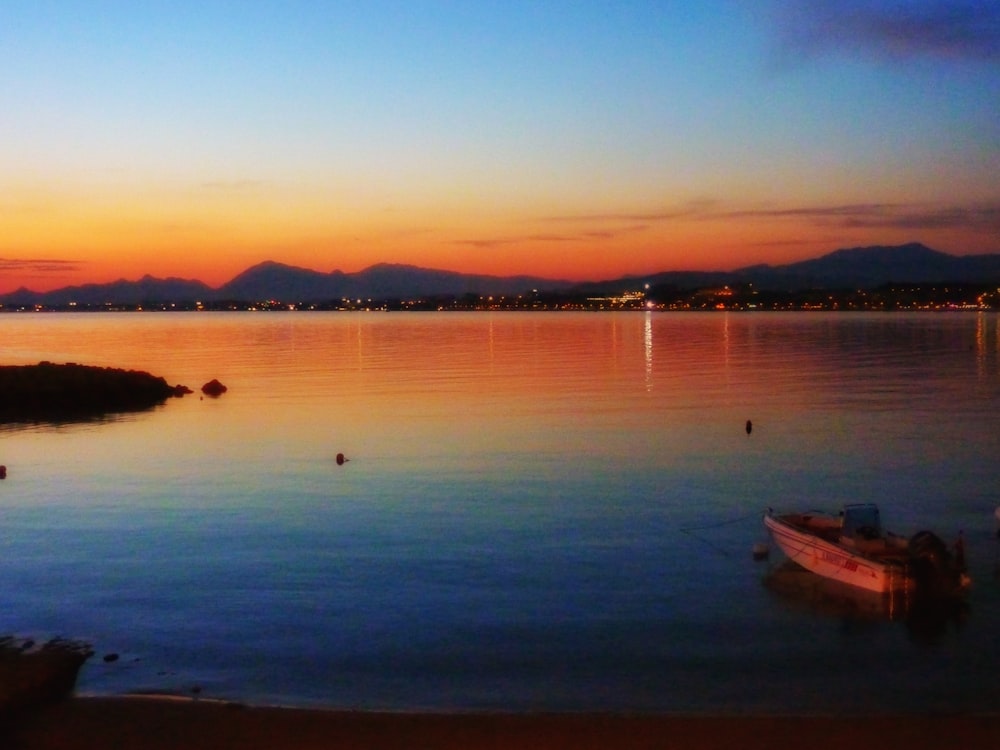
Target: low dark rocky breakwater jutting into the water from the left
x=67 y=392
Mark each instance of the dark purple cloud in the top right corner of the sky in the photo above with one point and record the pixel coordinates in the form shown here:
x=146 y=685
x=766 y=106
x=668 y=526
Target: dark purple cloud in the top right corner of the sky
x=890 y=29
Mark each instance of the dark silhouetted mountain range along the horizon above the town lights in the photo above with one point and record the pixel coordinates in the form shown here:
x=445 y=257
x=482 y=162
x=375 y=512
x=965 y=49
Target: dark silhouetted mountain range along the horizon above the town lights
x=848 y=268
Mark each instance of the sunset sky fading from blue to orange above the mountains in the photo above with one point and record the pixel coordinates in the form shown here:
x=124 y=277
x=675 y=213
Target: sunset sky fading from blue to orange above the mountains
x=572 y=140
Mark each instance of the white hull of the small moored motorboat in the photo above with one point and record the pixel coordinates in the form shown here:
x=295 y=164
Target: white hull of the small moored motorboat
x=837 y=562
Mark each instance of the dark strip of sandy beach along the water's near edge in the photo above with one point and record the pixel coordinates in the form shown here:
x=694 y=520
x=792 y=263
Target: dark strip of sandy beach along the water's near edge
x=153 y=724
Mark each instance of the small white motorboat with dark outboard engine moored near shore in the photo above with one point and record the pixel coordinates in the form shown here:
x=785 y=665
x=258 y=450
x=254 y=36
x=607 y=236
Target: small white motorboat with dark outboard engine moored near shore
x=853 y=548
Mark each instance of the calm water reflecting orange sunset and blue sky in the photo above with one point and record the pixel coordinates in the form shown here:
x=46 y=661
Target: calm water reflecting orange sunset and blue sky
x=540 y=511
